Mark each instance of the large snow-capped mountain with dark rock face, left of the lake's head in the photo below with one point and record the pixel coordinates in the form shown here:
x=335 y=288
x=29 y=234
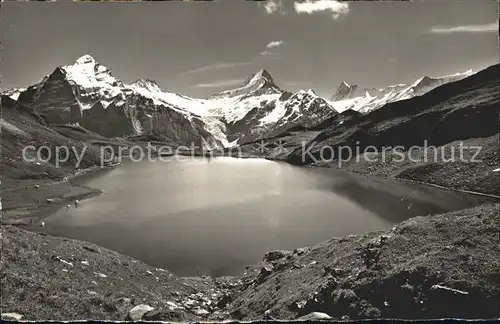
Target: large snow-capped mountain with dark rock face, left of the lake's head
x=86 y=93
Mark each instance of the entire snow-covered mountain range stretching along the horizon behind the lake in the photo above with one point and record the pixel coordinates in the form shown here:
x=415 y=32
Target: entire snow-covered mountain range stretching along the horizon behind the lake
x=86 y=93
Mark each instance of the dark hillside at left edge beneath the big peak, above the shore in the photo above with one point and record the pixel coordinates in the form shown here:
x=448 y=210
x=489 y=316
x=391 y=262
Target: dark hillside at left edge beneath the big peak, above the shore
x=22 y=127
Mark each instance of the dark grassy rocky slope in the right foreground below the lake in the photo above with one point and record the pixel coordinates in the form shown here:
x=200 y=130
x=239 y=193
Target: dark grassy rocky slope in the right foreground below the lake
x=440 y=266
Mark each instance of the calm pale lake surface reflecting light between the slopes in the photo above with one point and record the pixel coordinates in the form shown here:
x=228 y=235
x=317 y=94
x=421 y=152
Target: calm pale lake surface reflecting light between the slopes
x=215 y=216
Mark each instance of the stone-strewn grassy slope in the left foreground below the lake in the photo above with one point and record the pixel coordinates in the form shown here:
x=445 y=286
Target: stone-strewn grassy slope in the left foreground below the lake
x=50 y=278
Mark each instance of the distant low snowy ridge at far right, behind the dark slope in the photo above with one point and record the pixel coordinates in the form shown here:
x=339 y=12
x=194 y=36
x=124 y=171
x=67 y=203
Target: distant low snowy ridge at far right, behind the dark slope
x=368 y=99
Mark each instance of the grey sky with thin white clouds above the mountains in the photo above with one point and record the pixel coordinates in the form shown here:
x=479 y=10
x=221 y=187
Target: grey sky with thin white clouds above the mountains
x=202 y=48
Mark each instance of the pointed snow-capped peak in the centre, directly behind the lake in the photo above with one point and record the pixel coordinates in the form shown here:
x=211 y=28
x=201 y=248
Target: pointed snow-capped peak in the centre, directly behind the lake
x=259 y=106
